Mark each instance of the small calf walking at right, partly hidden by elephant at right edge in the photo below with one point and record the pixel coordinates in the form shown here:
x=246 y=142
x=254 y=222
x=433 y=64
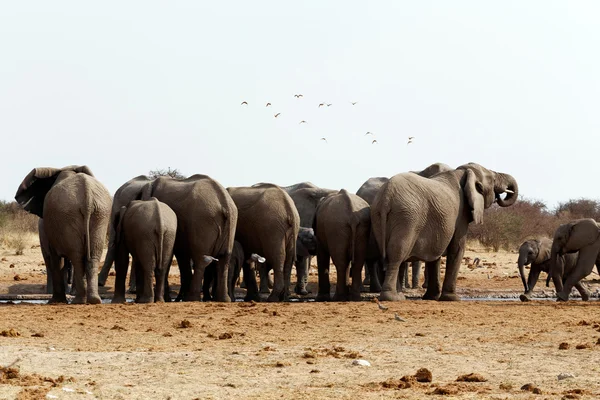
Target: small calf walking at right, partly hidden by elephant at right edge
x=536 y=252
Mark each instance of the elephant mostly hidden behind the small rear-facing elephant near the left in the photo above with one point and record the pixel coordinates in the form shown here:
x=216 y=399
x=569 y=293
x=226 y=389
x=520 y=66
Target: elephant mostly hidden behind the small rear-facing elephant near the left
x=129 y=191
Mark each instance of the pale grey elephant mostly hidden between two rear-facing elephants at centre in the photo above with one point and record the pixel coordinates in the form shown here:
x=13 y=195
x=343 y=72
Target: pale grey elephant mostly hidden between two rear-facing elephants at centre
x=306 y=197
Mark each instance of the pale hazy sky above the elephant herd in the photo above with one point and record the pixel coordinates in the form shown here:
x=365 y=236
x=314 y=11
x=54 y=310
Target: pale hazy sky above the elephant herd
x=130 y=86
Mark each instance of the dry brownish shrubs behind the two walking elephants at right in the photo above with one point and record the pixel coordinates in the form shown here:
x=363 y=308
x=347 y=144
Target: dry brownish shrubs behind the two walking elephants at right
x=507 y=228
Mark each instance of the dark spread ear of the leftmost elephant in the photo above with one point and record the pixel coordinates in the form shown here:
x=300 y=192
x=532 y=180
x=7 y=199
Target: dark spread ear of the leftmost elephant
x=32 y=191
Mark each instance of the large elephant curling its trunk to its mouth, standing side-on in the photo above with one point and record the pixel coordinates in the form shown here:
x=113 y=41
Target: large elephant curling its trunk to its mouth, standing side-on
x=417 y=218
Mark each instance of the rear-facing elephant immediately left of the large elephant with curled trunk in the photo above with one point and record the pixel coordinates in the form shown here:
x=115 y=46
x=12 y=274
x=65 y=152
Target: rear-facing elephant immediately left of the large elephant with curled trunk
x=342 y=227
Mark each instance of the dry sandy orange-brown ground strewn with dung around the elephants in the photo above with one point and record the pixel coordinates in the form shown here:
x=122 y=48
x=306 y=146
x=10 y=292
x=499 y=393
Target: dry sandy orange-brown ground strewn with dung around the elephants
x=300 y=349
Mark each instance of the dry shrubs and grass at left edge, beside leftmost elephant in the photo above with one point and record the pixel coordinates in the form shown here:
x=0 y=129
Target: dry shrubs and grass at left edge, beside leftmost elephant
x=18 y=228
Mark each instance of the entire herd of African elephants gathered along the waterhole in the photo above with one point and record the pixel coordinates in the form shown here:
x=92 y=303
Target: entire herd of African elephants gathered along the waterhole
x=216 y=232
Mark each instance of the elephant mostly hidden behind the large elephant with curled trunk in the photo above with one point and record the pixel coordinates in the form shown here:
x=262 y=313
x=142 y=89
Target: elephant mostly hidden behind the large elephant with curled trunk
x=368 y=191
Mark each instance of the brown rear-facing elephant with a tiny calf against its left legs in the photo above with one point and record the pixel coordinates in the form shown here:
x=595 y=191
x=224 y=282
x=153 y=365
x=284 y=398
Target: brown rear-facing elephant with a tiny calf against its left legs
x=268 y=224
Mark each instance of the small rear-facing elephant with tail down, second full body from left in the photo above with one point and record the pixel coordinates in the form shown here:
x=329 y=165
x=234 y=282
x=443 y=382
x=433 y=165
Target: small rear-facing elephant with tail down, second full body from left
x=146 y=230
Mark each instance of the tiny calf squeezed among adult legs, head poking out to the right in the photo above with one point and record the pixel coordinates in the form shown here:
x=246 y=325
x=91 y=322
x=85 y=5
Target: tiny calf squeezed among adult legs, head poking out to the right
x=236 y=264
